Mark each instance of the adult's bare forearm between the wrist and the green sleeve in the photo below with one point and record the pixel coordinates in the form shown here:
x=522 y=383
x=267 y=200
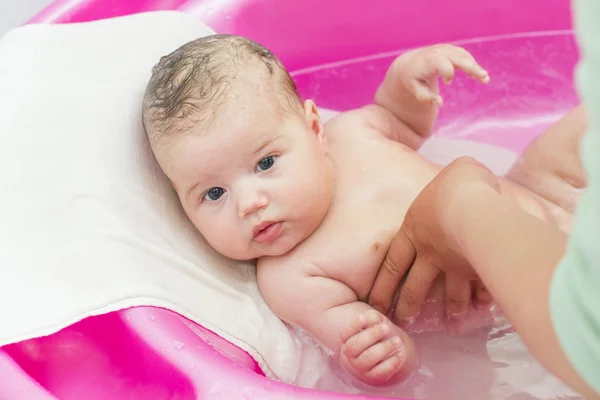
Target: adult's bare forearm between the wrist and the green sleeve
x=515 y=255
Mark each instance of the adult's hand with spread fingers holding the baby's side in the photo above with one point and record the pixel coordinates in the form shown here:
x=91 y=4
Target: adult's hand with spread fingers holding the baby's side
x=427 y=244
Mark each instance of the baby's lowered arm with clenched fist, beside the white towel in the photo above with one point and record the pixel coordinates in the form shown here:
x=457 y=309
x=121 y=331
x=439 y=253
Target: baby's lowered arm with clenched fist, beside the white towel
x=367 y=344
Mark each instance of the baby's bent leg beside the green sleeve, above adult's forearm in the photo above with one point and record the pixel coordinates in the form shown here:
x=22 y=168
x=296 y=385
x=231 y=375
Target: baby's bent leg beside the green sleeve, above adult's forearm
x=550 y=166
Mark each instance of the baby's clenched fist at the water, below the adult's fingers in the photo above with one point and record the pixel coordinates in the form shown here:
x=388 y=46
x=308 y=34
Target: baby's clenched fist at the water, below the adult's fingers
x=375 y=351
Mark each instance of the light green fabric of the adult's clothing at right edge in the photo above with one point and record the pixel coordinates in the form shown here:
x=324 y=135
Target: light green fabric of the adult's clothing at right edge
x=575 y=292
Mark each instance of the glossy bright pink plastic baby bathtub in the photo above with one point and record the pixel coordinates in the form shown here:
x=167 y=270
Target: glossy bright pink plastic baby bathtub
x=338 y=51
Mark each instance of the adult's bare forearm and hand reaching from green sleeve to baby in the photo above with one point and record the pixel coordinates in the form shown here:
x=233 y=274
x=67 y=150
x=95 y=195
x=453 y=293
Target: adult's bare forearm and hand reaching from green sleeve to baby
x=446 y=230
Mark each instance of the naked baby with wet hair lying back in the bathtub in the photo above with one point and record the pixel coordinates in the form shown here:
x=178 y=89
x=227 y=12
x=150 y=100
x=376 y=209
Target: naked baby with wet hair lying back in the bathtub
x=262 y=178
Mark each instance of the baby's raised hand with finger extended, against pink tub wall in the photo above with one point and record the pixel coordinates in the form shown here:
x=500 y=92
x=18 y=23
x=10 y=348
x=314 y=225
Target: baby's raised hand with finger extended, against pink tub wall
x=420 y=71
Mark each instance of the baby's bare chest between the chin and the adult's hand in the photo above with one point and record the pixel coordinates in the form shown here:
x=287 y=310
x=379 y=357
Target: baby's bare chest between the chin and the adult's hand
x=375 y=186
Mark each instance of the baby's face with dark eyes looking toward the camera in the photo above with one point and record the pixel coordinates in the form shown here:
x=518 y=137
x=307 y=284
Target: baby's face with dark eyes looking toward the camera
x=258 y=182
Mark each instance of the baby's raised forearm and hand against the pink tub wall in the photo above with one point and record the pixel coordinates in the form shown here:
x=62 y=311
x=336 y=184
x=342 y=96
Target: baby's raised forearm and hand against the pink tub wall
x=410 y=90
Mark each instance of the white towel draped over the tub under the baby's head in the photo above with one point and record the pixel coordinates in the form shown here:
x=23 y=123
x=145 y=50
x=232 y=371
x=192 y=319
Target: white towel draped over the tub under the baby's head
x=89 y=224
